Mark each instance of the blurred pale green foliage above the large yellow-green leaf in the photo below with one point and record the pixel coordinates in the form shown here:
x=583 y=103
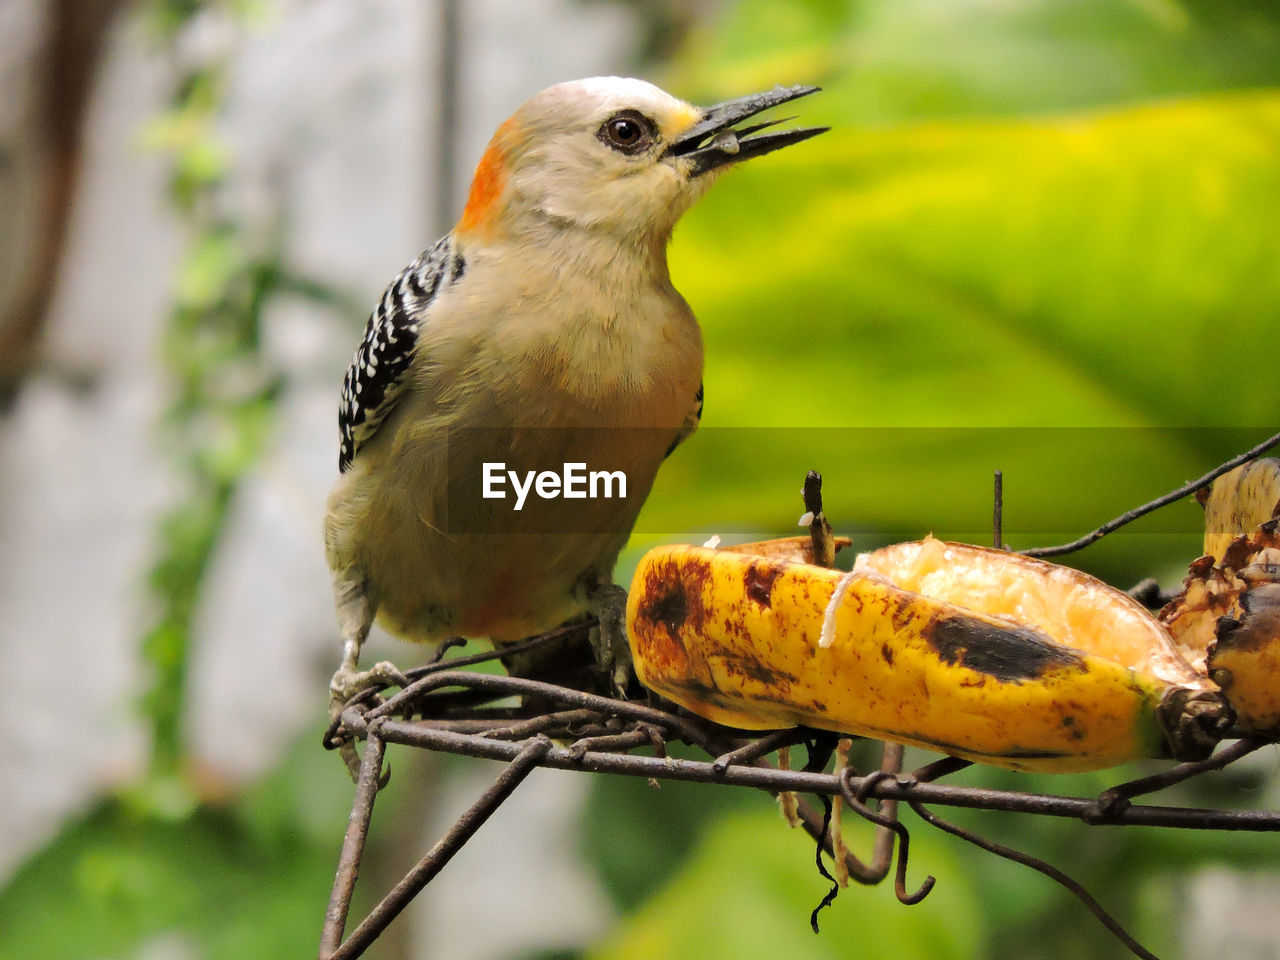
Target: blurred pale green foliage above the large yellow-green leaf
x=888 y=61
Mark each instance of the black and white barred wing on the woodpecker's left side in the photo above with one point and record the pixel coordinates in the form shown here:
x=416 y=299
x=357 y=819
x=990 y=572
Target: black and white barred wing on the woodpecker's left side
x=381 y=367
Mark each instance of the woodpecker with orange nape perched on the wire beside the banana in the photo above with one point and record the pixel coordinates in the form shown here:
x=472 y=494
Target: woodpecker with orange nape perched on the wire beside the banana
x=543 y=331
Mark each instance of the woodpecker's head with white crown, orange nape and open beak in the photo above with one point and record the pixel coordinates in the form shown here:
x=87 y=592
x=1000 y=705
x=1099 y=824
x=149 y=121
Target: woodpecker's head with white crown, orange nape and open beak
x=614 y=156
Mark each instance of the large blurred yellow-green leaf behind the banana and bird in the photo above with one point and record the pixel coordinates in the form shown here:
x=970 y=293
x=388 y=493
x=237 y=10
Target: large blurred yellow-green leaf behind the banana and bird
x=941 y=300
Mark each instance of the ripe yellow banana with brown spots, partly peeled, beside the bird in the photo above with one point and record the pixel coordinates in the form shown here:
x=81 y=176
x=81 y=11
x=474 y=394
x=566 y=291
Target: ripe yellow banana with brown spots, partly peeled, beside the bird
x=977 y=653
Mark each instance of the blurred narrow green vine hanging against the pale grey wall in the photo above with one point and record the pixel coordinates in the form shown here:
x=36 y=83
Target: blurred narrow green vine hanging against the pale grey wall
x=225 y=388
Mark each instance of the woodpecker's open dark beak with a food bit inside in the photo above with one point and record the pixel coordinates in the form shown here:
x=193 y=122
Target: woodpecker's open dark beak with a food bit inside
x=712 y=141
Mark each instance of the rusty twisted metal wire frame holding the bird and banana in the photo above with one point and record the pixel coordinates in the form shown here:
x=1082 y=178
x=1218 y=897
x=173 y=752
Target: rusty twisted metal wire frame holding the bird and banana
x=601 y=734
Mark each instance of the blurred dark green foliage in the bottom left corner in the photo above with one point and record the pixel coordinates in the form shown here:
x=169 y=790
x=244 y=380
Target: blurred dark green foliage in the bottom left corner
x=245 y=877
